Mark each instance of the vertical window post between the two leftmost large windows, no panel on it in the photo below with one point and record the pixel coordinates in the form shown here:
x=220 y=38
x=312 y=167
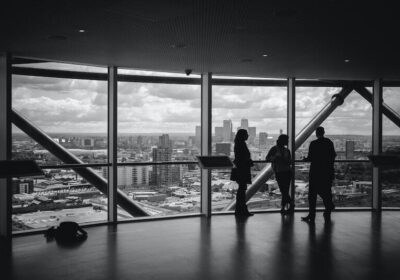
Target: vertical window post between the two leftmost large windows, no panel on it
x=112 y=143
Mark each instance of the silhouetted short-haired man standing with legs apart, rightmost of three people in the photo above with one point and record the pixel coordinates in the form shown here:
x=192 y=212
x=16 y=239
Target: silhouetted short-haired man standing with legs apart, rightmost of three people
x=321 y=154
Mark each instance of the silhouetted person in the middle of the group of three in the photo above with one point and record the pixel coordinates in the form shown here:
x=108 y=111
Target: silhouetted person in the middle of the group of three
x=280 y=157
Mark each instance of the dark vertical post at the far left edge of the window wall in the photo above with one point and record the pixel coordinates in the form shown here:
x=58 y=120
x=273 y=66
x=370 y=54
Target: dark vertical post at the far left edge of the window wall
x=5 y=144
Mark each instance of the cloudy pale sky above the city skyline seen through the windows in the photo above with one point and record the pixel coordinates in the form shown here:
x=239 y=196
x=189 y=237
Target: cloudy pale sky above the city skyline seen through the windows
x=69 y=105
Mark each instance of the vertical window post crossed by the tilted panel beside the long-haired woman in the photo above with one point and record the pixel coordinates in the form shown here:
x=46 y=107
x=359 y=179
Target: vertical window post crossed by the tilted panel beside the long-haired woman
x=206 y=142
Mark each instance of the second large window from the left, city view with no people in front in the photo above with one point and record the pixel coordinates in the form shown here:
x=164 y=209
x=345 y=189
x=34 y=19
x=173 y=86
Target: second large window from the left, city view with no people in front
x=159 y=123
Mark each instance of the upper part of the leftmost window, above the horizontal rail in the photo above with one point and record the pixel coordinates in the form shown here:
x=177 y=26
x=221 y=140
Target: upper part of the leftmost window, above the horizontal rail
x=72 y=112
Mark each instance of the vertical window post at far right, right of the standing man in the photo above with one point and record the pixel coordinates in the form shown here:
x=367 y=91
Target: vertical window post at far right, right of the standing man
x=377 y=143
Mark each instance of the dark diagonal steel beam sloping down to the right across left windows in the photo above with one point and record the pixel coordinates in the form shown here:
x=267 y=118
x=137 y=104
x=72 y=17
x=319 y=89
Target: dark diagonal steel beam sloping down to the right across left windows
x=64 y=155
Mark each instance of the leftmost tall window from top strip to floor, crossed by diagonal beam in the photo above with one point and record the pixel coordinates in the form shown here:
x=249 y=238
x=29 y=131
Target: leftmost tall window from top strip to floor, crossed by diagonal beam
x=73 y=114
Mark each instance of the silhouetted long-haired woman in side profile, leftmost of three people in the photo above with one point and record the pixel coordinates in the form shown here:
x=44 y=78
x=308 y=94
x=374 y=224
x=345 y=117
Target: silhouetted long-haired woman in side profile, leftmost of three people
x=241 y=172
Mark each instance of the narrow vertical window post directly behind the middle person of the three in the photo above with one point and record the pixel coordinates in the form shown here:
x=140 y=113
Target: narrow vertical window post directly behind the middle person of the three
x=291 y=129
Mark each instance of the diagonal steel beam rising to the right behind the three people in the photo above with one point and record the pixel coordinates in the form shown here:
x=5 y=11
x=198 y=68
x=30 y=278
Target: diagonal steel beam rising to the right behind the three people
x=318 y=119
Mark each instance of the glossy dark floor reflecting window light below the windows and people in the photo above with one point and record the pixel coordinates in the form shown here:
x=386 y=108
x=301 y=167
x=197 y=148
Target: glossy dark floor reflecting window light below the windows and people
x=356 y=245
